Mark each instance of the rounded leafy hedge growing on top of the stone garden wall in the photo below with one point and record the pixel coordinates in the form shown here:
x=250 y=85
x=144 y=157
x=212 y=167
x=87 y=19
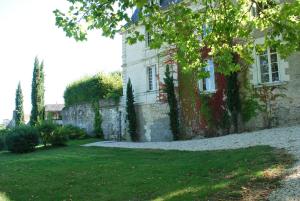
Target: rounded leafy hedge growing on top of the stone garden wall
x=91 y=89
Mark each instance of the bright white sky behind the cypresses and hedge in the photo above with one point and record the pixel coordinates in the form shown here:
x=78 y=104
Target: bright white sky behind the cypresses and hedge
x=27 y=30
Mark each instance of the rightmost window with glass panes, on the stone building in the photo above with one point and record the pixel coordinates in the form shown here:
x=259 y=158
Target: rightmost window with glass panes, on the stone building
x=269 y=66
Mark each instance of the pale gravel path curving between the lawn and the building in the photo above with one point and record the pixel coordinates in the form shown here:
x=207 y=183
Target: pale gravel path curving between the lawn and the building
x=287 y=138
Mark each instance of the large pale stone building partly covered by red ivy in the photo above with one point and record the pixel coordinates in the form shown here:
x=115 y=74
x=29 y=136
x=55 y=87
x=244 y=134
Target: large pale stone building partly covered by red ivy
x=145 y=67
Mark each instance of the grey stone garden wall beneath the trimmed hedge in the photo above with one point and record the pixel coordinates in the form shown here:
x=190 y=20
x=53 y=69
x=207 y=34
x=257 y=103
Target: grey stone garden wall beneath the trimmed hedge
x=83 y=116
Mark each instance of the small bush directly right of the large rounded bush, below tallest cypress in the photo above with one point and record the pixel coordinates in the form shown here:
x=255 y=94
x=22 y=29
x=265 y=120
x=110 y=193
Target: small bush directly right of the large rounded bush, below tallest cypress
x=46 y=129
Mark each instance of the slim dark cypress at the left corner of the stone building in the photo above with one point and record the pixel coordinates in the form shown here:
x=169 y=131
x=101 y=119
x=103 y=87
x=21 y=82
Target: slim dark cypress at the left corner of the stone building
x=131 y=115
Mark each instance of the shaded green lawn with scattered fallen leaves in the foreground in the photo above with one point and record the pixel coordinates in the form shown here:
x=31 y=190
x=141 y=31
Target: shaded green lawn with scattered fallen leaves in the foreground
x=87 y=174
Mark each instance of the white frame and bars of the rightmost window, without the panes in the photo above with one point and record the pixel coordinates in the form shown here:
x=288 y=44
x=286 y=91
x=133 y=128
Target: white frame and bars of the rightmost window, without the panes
x=270 y=72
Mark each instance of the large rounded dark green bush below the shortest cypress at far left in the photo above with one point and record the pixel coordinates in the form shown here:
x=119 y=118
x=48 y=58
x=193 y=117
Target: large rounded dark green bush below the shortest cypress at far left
x=22 y=139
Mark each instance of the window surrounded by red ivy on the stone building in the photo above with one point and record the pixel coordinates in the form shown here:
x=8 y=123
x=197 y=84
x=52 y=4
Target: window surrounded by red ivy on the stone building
x=208 y=84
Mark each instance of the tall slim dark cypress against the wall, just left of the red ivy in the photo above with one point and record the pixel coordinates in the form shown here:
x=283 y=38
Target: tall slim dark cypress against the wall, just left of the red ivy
x=172 y=101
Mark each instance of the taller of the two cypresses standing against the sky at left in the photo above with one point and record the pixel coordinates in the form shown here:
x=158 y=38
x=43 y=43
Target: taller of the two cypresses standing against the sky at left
x=37 y=93
